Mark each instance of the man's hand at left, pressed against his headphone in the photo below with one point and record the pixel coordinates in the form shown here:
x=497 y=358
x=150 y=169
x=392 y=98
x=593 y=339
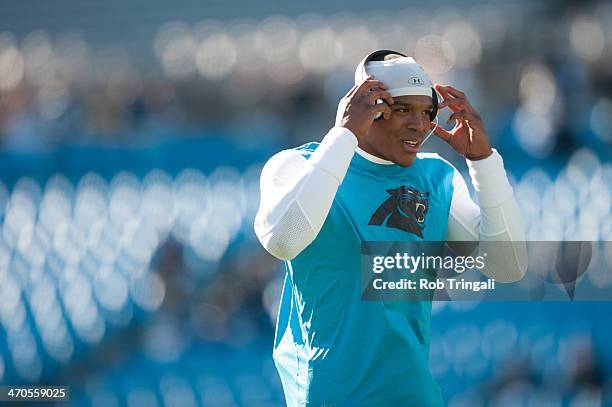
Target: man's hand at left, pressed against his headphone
x=357 y=109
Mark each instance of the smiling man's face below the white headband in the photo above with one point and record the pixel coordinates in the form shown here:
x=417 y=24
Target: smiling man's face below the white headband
x=399 y=138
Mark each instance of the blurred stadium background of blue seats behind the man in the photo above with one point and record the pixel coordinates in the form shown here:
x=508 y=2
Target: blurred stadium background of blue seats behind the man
x=132 y=135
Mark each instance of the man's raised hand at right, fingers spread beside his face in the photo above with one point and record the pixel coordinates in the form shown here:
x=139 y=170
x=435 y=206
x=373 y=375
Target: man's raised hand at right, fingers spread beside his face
x=469 y=137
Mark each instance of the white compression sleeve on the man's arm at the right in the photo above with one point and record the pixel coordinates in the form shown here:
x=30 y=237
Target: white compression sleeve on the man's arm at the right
x=498 y=218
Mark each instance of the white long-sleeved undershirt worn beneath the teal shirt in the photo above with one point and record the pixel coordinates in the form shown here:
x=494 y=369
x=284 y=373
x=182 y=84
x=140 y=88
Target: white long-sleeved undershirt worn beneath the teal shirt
x=290 y=216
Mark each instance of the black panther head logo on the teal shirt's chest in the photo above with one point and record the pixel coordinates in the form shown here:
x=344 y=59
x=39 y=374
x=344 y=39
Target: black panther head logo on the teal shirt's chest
x=405 y=209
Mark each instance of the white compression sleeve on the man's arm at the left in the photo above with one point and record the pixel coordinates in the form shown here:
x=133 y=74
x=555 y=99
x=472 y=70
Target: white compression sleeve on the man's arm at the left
x=297 y=193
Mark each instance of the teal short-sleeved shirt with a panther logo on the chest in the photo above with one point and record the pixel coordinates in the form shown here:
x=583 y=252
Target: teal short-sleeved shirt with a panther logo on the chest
x=331 y=347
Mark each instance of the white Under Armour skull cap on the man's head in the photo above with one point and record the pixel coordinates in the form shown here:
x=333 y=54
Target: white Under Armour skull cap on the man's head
x=402 y=76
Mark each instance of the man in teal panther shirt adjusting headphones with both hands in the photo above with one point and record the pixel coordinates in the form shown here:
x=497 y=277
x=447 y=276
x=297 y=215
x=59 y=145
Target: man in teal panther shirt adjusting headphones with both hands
x=320 y=201
